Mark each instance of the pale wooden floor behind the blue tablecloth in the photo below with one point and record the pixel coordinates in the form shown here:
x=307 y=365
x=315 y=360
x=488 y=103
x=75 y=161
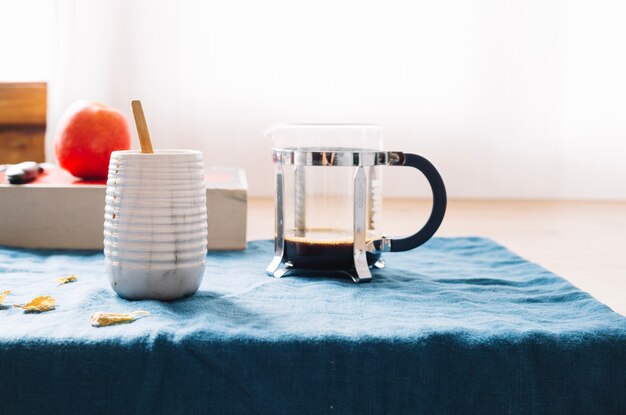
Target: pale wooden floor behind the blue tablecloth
x=584 y=242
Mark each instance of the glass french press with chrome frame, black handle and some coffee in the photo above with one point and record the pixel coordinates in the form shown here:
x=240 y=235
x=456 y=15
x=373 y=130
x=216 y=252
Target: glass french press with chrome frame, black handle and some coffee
x=329 y=199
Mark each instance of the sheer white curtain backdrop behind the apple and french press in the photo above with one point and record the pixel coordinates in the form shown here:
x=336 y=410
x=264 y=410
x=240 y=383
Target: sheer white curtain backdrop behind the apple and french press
x=509 y=99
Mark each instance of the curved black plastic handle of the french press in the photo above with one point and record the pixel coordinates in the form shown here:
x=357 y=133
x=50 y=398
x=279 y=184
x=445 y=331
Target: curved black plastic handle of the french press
x=439 y=204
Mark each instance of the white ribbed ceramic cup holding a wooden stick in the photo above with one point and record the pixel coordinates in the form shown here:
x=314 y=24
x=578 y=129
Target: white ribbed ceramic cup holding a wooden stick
x=155 y=224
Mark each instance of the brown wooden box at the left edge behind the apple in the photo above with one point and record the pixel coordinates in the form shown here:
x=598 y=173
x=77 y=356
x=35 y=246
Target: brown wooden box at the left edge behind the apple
x=23 y=108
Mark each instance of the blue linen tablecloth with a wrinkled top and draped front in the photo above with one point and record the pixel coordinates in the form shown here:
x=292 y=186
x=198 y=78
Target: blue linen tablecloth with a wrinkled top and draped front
x=459 y=325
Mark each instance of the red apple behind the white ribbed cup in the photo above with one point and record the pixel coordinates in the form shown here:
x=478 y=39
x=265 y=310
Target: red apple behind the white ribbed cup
x=87 y=134
